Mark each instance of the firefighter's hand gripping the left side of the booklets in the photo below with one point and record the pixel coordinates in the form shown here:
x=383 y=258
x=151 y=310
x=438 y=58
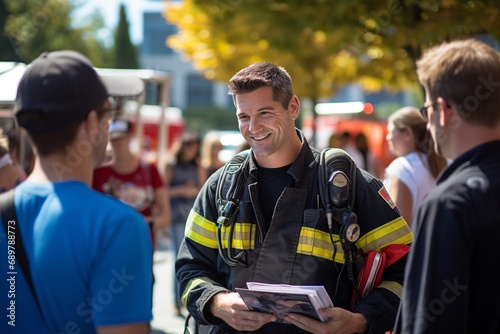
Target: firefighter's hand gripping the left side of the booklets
x=232 y=310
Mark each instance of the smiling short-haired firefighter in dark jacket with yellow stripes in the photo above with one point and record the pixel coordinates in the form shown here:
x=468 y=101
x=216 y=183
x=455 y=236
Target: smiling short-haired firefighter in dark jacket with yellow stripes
x=279 y=232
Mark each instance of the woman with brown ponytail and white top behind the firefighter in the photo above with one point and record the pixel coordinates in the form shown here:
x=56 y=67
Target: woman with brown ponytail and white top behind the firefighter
x=414 y=172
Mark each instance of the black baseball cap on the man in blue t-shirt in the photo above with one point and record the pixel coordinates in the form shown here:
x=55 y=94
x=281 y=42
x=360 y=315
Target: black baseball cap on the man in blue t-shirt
x=58 y=88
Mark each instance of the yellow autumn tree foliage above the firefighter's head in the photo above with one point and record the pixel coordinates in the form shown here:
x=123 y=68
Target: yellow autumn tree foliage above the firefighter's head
x=324 y=44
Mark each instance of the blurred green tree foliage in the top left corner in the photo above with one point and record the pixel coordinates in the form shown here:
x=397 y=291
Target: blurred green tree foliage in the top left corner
x=36 y=26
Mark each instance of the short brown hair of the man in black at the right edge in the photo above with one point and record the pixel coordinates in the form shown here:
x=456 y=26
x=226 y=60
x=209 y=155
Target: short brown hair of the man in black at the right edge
x=466 y=74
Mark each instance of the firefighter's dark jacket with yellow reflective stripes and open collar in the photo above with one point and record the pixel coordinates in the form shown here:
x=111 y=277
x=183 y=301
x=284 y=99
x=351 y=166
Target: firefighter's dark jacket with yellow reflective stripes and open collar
x=297 y=248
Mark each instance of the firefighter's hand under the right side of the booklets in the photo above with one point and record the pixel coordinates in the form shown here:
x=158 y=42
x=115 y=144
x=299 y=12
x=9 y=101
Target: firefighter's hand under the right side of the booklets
x=341 y=322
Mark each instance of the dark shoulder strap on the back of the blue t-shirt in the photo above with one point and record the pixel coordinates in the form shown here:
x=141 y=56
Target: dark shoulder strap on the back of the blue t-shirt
x=15 y=243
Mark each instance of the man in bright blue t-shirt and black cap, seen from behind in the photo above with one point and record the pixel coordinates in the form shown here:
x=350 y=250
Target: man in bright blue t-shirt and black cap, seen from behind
x=88 y=253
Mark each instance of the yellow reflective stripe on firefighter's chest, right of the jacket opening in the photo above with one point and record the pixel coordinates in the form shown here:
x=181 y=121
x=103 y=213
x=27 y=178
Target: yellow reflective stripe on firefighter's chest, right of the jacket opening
x=317 y=243
